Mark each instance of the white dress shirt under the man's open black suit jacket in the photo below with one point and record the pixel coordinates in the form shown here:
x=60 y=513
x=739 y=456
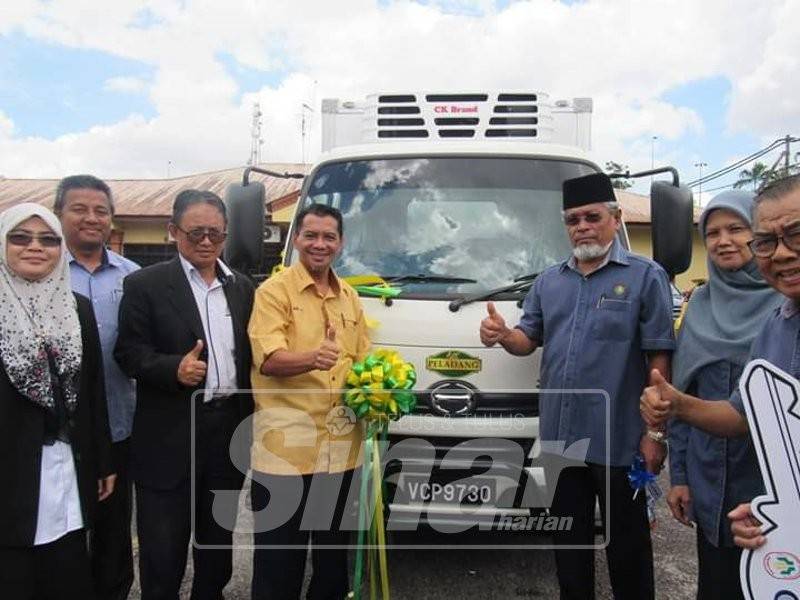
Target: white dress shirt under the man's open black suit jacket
x=218 y=328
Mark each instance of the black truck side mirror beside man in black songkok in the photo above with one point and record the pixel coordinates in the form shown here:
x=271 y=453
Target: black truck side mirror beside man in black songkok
x=671 y=212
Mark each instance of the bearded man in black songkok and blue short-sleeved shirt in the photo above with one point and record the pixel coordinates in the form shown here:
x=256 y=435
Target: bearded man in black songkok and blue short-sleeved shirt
x=603 y=318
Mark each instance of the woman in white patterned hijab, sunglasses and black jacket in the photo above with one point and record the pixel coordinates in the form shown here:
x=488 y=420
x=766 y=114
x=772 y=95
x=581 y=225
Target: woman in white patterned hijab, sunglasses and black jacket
x=55 y=461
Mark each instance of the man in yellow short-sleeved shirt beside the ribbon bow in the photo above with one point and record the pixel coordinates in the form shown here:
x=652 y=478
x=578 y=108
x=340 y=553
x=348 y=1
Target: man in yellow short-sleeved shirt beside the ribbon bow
x=306 y=330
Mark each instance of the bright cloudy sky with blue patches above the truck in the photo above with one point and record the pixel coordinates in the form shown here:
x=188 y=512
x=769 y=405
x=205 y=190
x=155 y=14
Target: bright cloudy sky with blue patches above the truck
x=163 y=88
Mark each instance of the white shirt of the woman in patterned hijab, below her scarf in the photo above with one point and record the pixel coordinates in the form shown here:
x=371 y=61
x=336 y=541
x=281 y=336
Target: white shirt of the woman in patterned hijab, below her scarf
x=59 y=503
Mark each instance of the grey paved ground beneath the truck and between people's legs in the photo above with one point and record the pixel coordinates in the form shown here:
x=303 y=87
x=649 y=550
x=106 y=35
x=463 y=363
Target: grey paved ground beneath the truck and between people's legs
x=456 y=572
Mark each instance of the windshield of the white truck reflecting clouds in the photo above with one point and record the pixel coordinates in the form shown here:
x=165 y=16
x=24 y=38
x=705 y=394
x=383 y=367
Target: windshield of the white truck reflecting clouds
x=447 y=226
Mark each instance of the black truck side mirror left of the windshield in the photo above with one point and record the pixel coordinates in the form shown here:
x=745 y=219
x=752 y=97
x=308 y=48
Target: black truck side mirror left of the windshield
x=245 y=243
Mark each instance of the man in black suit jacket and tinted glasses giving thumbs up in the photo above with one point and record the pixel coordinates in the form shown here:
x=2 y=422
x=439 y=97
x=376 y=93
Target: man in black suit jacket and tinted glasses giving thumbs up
x=183 y=336
